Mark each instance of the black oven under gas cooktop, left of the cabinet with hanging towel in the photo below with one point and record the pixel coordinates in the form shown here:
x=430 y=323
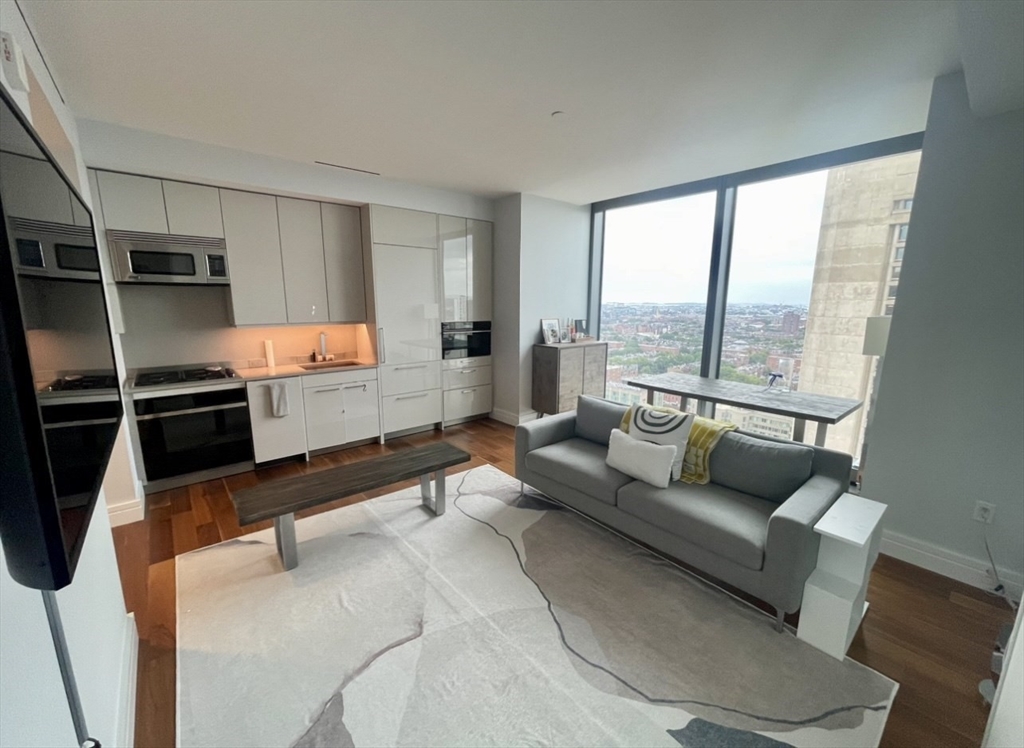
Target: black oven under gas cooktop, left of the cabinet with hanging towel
x=192 y=437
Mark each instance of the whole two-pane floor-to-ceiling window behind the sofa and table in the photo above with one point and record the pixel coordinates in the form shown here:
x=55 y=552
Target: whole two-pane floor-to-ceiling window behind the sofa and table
x=806 y=257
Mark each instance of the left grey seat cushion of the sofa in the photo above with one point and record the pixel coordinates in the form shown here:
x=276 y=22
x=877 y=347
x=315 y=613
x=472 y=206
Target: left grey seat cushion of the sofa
x=580 y=464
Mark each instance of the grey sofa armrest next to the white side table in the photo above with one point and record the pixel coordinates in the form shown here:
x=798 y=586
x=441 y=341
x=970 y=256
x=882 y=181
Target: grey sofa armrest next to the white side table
x=792 y=546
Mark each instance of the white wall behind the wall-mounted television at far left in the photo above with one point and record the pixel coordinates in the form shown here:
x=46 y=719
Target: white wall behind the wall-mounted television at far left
x=33 y=708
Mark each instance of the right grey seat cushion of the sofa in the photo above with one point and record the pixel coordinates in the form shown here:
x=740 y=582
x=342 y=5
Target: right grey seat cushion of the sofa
x=717 y=519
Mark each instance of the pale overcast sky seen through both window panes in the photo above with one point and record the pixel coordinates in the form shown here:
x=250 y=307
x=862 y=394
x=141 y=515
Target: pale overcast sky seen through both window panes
x=661 y=253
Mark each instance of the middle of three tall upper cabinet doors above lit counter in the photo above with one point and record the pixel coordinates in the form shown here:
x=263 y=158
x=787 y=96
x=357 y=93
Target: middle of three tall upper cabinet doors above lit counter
x=303 y=257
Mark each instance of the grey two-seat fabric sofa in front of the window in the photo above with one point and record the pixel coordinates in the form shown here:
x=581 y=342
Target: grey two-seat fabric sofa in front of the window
x=752 y=527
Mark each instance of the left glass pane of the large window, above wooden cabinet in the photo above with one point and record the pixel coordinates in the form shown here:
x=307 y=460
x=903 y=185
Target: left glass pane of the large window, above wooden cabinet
x=655 y=289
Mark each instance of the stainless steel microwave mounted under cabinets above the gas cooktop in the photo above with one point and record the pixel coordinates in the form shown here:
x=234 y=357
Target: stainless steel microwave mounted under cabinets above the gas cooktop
x=166 y=259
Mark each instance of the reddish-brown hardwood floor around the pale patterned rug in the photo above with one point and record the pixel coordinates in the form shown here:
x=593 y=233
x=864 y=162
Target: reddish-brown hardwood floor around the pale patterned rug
x=930 y=634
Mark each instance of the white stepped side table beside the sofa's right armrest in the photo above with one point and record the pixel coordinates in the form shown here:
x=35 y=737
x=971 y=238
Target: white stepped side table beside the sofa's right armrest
x=835 y=594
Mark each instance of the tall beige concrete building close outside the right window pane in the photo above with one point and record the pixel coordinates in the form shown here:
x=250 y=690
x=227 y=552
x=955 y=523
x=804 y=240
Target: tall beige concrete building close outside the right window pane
x=861 y=252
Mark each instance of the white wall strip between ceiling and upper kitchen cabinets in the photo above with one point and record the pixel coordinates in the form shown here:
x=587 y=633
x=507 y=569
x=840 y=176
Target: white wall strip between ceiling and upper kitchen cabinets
x=123 y=149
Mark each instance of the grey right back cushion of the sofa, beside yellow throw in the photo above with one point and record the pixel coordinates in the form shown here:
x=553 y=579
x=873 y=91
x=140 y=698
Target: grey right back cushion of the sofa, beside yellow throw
x=773 y=471
